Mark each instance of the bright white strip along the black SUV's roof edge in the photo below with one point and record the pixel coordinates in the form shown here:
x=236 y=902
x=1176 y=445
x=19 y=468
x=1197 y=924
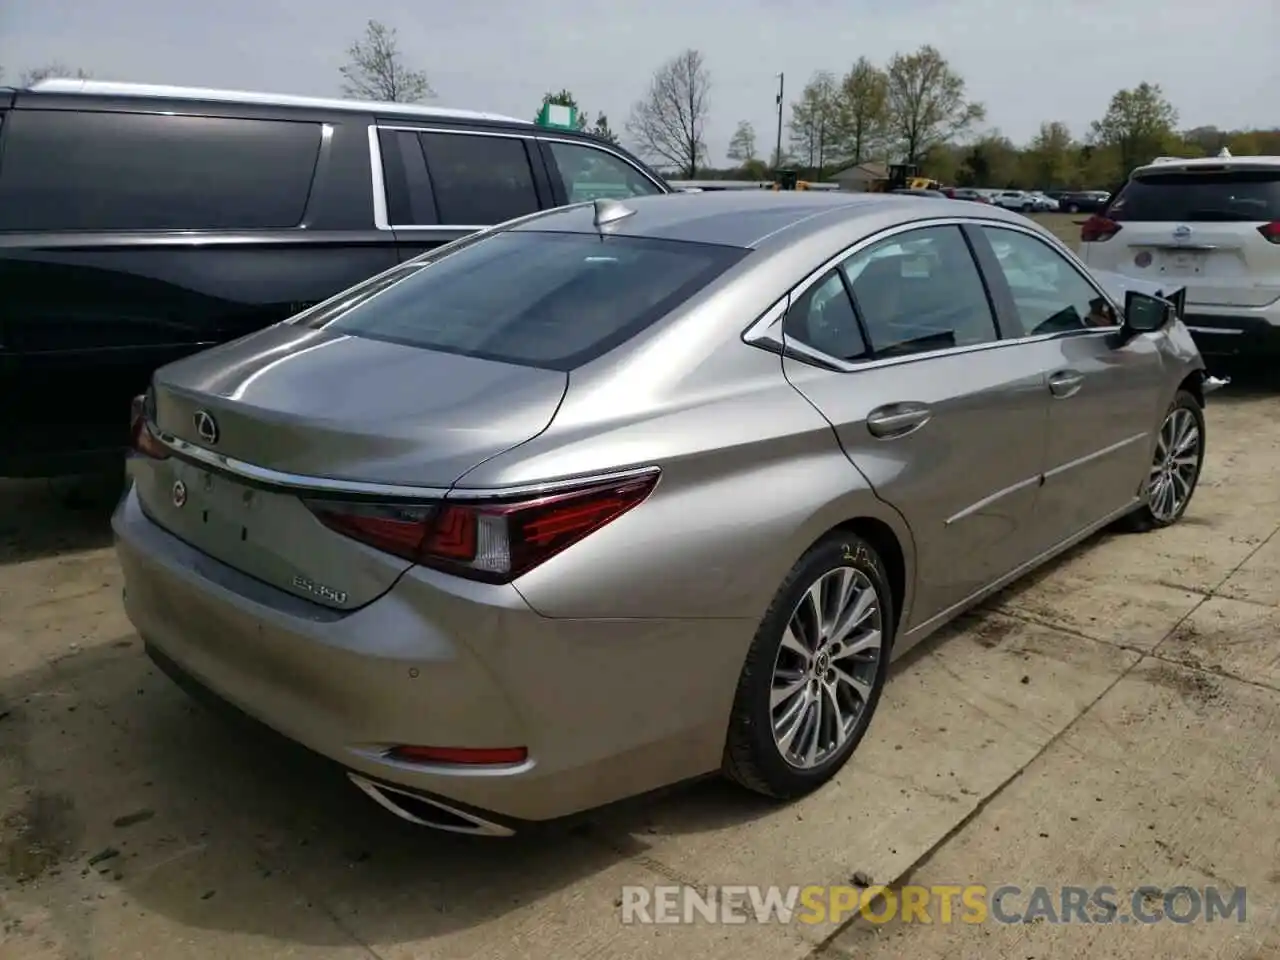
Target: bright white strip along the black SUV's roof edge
x=153 y=92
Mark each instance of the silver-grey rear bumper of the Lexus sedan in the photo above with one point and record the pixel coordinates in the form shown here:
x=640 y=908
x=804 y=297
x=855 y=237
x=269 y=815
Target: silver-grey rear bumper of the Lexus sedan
x=444 y=662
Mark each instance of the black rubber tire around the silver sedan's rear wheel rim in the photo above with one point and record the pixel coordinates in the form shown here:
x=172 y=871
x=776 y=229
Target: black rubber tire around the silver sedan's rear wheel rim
x=752 y=756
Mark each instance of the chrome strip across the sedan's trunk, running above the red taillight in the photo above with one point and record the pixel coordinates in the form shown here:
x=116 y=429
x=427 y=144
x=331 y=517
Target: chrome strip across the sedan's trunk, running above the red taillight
x=322 y=486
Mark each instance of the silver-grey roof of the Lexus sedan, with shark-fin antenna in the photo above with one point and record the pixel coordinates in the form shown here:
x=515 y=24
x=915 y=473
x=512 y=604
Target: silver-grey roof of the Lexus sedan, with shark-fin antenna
x=752 y=220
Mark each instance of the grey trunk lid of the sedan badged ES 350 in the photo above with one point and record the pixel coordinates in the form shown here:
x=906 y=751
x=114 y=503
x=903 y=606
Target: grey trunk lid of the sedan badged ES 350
x=318 y=406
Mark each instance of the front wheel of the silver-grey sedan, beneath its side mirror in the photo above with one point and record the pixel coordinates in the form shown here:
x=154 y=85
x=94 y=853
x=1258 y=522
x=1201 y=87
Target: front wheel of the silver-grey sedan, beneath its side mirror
x=1176 y=467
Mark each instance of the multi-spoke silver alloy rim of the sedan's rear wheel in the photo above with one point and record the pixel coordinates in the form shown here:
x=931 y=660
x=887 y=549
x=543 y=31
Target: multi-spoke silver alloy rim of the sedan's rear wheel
x=825 y=673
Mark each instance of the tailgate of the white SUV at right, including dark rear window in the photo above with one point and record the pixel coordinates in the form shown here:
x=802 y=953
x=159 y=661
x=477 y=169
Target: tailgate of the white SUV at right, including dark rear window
x=1199 y=227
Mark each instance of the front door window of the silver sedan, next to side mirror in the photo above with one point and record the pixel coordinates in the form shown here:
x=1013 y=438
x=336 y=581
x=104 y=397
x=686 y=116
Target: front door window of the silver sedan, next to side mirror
x=1049 y=292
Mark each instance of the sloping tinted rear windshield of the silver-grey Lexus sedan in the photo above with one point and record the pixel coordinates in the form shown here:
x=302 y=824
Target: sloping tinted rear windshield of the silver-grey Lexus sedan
x=545 y=300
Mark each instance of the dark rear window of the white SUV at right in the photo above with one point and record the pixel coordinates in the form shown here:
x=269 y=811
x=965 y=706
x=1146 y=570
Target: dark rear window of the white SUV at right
x=1246 y=196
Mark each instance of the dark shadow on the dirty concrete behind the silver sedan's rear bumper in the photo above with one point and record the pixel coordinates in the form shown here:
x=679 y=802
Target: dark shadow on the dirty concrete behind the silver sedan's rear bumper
x=135 y=792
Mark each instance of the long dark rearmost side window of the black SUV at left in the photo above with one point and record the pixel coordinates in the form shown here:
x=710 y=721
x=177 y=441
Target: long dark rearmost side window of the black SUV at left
x=70 y=171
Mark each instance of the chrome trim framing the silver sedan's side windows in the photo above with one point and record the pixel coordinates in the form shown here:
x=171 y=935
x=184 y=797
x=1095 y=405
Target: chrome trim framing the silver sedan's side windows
x=762 y=332
